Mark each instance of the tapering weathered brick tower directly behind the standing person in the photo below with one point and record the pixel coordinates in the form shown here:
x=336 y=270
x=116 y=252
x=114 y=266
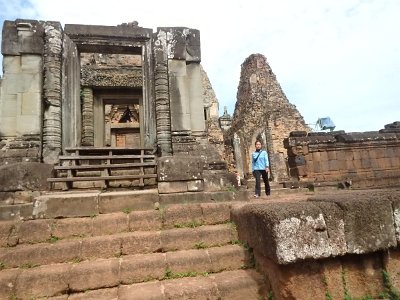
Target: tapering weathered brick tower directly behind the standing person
x=263 y=112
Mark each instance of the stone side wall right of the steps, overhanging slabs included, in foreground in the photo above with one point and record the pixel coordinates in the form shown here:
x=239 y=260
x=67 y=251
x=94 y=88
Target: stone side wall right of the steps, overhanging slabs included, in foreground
x=338 y=244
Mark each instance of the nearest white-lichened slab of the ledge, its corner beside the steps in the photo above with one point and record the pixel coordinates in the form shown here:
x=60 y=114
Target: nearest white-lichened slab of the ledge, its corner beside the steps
x=288 y=232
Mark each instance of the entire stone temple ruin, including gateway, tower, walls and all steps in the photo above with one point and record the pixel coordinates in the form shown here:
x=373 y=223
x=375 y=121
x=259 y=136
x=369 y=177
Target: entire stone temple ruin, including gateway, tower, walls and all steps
x=128 y=115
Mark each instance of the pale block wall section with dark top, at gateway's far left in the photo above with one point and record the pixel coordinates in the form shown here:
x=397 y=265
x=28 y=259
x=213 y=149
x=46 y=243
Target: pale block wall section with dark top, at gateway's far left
x=21 y=91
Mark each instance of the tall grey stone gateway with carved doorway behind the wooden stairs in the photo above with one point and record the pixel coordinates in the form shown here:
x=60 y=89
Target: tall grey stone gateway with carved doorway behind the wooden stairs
x=110 y=86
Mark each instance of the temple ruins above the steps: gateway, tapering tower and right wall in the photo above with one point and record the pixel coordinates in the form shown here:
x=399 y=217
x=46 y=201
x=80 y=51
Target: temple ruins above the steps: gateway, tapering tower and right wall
x=127 y=86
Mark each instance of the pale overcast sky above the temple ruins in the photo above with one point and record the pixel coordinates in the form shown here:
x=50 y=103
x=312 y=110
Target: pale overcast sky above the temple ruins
x=336 y=58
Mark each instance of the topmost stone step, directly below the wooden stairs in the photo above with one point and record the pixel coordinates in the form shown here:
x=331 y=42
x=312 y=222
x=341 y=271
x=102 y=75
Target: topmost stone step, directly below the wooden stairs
x=91 y=203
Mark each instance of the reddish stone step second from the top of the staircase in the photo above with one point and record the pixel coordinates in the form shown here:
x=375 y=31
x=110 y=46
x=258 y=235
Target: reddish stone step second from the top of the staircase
x=42 y=230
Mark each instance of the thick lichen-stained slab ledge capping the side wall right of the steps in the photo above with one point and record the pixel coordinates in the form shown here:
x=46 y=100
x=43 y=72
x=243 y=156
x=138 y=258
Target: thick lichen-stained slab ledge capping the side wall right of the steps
x=348 y=222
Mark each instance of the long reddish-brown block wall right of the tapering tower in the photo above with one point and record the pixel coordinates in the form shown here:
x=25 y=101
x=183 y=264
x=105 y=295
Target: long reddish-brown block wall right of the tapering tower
x=368 y=159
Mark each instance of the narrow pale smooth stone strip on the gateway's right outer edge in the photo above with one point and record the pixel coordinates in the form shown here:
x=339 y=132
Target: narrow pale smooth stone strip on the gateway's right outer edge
x=197 y=119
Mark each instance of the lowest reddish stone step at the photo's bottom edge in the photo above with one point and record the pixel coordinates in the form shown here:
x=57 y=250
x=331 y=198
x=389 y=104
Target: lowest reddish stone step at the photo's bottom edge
x=235 y=285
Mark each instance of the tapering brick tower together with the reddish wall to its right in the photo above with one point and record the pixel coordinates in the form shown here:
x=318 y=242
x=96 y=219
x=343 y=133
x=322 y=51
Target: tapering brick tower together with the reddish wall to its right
x=298 y=156
